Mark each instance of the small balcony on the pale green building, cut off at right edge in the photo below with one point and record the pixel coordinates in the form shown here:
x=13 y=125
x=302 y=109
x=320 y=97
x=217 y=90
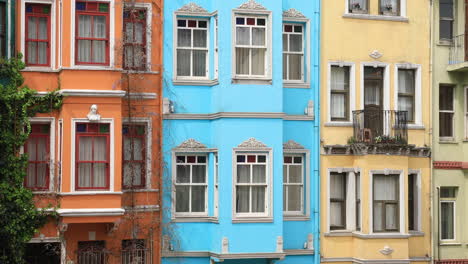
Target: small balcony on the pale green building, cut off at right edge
x=458 y=57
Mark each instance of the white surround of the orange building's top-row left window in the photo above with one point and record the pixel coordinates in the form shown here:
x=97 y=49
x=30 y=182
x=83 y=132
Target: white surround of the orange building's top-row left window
x=52 y=36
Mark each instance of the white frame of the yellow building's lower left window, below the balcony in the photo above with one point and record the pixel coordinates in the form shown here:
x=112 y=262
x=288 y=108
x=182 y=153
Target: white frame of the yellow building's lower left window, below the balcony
x=350 y=219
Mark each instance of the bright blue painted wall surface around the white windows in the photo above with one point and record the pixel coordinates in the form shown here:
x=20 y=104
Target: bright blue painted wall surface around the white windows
x=224 y=134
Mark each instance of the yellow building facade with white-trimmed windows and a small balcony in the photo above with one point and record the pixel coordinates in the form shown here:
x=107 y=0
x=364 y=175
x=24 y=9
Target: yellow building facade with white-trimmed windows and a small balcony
x=375 y=131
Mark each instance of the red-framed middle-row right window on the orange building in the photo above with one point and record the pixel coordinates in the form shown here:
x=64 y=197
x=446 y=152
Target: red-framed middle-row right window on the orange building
x=134 y=155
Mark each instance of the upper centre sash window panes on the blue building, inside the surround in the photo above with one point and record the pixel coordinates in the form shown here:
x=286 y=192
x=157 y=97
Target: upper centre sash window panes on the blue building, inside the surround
x=251 y=47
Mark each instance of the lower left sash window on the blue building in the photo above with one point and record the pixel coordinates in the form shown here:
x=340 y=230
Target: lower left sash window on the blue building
x=191 y=184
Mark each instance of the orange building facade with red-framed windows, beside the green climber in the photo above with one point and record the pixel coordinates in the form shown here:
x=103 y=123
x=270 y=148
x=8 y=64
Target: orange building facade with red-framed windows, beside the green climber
x=97 y=159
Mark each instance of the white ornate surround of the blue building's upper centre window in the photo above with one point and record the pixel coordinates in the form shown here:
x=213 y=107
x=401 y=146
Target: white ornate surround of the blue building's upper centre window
x=268 y=39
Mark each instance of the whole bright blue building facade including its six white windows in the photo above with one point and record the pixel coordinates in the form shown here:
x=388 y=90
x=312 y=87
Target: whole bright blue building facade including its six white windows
x=240 y=131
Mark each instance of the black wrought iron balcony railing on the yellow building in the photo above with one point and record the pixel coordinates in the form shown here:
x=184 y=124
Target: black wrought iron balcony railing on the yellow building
x=375 y=126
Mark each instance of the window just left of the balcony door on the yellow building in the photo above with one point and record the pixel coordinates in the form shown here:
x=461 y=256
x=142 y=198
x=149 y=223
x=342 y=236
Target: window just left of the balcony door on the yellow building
x=339 y=89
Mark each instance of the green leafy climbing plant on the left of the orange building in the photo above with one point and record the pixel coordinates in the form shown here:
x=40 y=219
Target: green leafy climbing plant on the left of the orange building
x=19 y=218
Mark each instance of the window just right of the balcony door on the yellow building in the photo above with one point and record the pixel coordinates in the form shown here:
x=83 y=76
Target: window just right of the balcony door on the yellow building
x=406 y=92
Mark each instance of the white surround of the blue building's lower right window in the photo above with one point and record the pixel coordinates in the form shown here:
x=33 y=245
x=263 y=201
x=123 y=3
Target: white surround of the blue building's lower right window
x=305 y=205
